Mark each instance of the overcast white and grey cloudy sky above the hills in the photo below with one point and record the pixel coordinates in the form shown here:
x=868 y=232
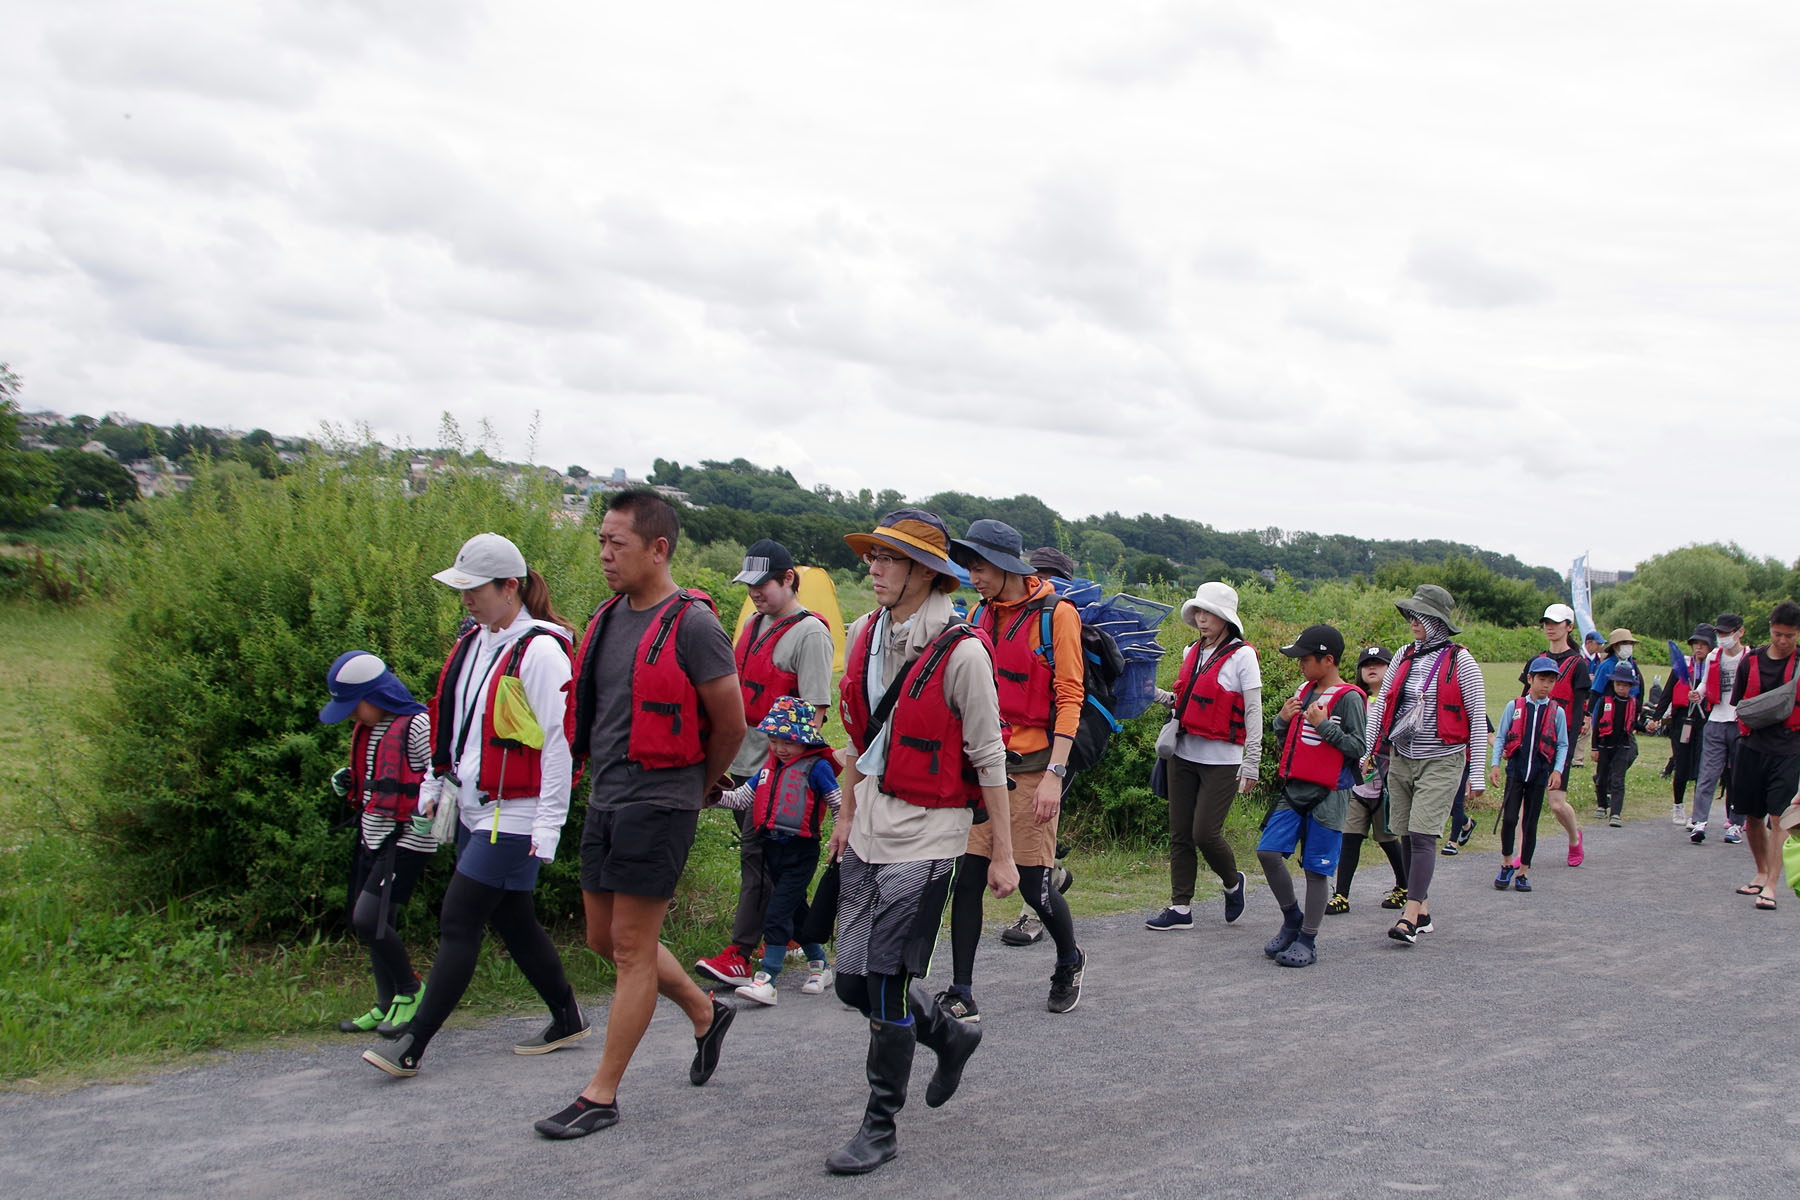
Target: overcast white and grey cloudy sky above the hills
x=1232 y=262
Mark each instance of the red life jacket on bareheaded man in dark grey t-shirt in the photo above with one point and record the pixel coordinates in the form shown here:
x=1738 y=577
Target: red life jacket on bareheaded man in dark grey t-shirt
x=670 y=726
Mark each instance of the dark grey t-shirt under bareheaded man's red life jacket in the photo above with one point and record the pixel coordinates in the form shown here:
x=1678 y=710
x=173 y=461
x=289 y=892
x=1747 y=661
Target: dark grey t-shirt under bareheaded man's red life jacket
x=705 y=656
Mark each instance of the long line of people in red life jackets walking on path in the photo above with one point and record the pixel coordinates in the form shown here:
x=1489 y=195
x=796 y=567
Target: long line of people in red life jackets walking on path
x=960 y=733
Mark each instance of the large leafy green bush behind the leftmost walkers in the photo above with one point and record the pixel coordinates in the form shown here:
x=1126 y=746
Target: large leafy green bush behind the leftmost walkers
x=240 y=596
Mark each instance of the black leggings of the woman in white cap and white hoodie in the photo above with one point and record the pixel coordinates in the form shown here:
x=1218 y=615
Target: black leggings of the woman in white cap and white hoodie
x=469 y=908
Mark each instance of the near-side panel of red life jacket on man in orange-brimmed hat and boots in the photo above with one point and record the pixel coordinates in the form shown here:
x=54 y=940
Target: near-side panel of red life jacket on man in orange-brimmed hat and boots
x=926 y=760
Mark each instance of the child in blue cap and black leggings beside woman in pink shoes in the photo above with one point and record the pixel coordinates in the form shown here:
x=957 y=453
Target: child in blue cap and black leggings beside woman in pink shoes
x=1534 y=748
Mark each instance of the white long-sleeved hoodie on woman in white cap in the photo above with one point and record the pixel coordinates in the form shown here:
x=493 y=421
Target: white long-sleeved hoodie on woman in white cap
x=544 y=676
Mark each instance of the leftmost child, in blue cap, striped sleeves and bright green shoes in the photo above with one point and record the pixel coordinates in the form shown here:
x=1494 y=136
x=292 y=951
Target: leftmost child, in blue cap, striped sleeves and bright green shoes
x=388 y=784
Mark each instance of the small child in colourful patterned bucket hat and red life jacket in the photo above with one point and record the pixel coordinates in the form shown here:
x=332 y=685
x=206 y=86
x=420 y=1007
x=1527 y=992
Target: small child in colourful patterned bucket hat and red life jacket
x=787 y=803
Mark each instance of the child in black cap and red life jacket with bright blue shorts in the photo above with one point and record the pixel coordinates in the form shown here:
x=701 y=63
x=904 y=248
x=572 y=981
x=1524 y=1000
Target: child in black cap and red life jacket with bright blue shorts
x=1322 y=742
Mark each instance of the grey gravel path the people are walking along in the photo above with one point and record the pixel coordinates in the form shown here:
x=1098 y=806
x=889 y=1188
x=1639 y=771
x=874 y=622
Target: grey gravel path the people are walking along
x=1626 y=1030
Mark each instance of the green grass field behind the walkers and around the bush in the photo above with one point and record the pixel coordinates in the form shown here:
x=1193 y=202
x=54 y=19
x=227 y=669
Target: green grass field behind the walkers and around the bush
x=93 y=987
